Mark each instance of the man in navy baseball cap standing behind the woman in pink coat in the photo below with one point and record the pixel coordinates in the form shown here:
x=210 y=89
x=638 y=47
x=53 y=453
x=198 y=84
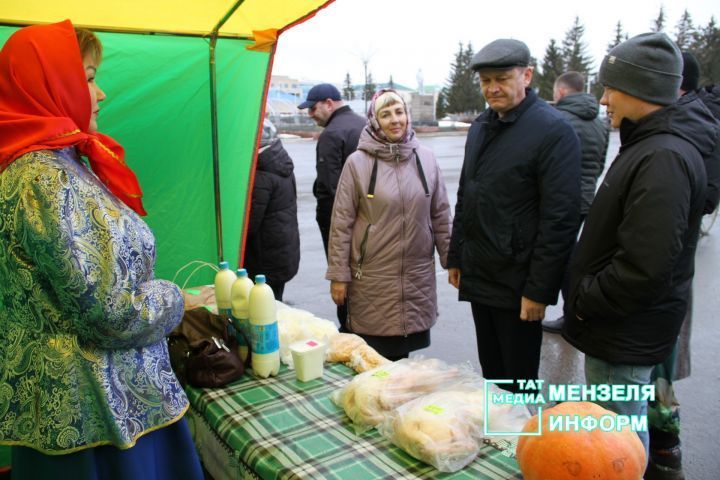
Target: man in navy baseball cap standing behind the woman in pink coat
x=338 y=140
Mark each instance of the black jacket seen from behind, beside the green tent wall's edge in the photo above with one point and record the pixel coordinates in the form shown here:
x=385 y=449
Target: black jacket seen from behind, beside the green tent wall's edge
x=273 y=240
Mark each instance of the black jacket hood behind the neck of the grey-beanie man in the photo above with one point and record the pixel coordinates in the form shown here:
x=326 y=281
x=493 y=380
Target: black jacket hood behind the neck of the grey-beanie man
x=689 y=119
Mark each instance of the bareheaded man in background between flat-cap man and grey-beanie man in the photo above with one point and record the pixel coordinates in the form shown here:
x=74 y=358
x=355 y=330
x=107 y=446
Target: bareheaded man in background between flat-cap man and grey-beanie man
x=581 y=109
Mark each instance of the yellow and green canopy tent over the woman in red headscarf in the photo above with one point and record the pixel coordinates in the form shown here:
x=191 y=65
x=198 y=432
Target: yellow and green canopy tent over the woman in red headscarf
x=186 y=82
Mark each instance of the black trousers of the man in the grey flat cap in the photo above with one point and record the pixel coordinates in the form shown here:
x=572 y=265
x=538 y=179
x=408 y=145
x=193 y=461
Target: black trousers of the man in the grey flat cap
x=508 y=348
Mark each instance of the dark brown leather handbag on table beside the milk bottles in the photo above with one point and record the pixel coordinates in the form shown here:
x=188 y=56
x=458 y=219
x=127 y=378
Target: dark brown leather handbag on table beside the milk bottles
x=196 y=350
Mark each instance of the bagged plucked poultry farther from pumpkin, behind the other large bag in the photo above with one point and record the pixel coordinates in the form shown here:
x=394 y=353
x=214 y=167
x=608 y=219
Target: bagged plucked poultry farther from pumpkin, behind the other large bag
x=372 y=394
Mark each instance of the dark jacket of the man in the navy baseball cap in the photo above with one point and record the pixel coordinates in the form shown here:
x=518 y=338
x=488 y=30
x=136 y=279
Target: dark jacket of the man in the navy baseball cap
x=336 y=142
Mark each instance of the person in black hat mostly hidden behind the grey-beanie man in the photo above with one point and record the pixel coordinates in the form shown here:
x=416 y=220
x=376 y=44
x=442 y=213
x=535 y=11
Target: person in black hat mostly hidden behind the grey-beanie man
x=664 y=412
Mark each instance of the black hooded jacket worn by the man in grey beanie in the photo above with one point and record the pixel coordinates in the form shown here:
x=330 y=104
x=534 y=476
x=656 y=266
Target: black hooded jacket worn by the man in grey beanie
x=631 y=272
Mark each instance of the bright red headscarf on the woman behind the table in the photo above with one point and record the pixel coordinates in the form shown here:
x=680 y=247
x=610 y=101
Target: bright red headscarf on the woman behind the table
x=45 y=104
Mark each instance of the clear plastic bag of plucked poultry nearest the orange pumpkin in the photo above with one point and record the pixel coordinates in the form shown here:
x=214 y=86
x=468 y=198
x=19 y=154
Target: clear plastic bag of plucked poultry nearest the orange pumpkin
x=445 y=429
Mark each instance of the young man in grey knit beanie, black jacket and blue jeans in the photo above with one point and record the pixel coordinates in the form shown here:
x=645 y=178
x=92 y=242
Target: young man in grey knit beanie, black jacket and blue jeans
x=630 y=275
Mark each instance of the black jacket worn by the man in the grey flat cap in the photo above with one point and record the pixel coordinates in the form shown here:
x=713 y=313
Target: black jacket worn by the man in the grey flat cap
x=516 y=216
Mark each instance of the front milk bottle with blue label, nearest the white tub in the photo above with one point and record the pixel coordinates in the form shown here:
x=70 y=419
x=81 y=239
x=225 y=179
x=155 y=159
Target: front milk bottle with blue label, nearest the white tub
x=265 y=343
